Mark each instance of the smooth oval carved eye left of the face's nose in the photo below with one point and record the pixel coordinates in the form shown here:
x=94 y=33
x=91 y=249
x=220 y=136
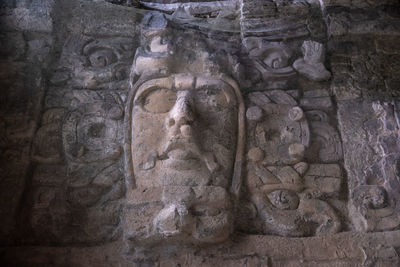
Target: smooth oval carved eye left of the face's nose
x=159 y=101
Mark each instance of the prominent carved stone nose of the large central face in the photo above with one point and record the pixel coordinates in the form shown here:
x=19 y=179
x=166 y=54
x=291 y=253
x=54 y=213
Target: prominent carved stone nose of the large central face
x=181 y=115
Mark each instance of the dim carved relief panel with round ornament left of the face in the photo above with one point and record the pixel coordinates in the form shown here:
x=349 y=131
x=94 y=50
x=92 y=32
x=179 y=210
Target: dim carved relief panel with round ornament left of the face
x=83 y=114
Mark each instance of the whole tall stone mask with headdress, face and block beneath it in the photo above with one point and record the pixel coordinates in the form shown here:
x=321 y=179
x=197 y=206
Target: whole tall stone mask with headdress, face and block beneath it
x=184 y=142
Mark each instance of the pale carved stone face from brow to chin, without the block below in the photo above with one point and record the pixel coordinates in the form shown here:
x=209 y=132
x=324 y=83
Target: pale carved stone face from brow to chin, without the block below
x=184 y=132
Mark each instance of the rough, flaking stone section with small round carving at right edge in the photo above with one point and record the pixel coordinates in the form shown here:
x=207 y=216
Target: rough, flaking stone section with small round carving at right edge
x=370 y=155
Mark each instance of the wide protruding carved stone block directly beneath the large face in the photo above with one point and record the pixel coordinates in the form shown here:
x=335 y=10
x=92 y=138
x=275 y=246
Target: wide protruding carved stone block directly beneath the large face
x=178 y=215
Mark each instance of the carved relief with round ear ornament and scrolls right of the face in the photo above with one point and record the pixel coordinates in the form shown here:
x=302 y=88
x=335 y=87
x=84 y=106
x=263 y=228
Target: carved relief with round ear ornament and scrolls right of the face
x=295 y=191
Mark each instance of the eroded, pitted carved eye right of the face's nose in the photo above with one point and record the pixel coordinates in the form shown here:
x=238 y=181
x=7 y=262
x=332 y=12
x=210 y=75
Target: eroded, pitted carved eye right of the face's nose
x=210 y=99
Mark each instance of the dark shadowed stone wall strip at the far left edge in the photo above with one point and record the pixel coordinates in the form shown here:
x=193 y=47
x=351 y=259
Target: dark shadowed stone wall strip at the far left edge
x=26 y=43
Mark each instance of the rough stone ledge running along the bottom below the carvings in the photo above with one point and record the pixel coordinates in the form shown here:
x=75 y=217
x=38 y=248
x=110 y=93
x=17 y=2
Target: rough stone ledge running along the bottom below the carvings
x=346 y=249
